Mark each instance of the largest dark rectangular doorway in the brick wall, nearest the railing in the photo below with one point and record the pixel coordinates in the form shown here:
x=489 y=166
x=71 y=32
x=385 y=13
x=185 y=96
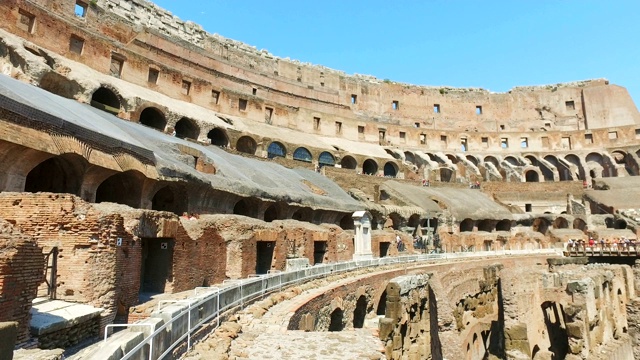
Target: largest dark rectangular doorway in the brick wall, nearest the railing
x=157 y=263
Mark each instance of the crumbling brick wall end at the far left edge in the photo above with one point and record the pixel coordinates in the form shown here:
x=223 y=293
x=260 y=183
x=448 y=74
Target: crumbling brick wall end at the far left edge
x=21 y=271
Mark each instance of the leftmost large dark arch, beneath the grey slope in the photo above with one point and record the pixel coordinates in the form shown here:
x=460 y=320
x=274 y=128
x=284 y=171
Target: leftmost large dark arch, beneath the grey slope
x=60 y=174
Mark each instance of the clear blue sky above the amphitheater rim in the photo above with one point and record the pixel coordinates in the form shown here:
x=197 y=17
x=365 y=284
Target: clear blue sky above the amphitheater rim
x=495 y=45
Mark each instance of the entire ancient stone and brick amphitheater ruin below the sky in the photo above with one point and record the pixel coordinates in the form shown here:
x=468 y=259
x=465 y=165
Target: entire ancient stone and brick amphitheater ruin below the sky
x=157 y=175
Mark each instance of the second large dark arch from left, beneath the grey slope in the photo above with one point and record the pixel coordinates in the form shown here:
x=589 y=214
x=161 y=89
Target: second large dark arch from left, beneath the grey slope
x=122 y=188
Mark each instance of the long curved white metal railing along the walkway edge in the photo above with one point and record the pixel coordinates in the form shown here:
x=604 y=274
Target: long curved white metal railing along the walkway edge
x=183 y=317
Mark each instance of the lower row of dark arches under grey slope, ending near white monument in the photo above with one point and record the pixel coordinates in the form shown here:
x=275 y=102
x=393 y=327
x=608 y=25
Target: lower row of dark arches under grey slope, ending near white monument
x=71 y=173
